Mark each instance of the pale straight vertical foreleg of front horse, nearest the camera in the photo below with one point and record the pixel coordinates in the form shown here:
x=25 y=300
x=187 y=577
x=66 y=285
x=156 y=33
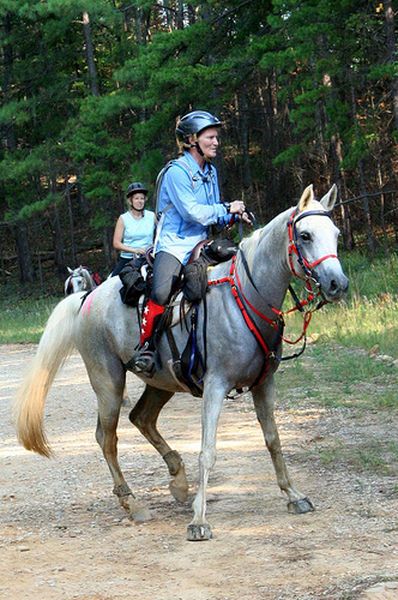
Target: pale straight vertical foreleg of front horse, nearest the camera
x=199 y=529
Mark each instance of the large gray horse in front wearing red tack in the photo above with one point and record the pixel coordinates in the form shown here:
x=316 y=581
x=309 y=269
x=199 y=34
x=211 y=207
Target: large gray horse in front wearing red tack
x=299 y=242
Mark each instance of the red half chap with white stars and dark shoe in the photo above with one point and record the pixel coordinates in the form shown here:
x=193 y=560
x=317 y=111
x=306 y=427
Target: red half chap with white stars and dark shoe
x=144 y=359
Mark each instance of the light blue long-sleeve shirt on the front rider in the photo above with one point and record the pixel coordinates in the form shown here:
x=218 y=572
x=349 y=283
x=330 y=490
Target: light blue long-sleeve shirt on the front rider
x=191 y=198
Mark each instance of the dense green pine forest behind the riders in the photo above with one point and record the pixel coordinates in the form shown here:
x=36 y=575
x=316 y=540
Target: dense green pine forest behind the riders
x=91 y=89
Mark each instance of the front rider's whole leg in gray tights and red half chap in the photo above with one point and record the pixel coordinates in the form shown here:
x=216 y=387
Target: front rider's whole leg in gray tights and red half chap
x=166 y=274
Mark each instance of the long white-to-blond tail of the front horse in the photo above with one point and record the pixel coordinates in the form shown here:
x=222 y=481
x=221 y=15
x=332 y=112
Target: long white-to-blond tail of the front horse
x=55 y=345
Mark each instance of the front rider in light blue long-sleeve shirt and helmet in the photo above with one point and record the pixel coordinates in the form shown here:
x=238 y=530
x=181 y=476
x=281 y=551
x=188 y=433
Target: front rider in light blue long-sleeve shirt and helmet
x=189 y=200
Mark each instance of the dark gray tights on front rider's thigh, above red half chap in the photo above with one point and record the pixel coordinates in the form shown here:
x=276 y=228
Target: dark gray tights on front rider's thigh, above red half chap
x=167 y=271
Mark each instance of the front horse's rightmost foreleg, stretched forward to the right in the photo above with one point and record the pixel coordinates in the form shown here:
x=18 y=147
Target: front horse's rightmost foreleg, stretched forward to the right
x=263 y=397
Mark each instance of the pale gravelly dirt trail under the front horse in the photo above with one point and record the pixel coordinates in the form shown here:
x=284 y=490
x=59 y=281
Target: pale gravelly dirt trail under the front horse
x=63 y=535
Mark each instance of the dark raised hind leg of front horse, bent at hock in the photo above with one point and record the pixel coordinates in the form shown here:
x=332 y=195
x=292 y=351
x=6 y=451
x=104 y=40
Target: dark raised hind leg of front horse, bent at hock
x=144 y=416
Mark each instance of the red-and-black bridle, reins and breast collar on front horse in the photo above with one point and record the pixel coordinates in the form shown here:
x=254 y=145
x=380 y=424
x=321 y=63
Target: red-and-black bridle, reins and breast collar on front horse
x=278 y=323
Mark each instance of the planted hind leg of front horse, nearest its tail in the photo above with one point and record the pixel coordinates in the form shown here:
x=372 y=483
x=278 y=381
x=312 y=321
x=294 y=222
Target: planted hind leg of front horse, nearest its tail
x=108 y=382
